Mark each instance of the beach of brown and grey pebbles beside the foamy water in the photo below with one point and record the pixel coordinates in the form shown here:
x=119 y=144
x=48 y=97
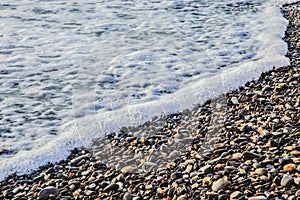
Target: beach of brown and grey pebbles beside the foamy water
x=245 y=144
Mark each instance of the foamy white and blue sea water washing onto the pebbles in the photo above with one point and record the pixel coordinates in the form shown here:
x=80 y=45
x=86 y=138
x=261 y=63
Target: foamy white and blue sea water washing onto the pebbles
x=73 y=71
